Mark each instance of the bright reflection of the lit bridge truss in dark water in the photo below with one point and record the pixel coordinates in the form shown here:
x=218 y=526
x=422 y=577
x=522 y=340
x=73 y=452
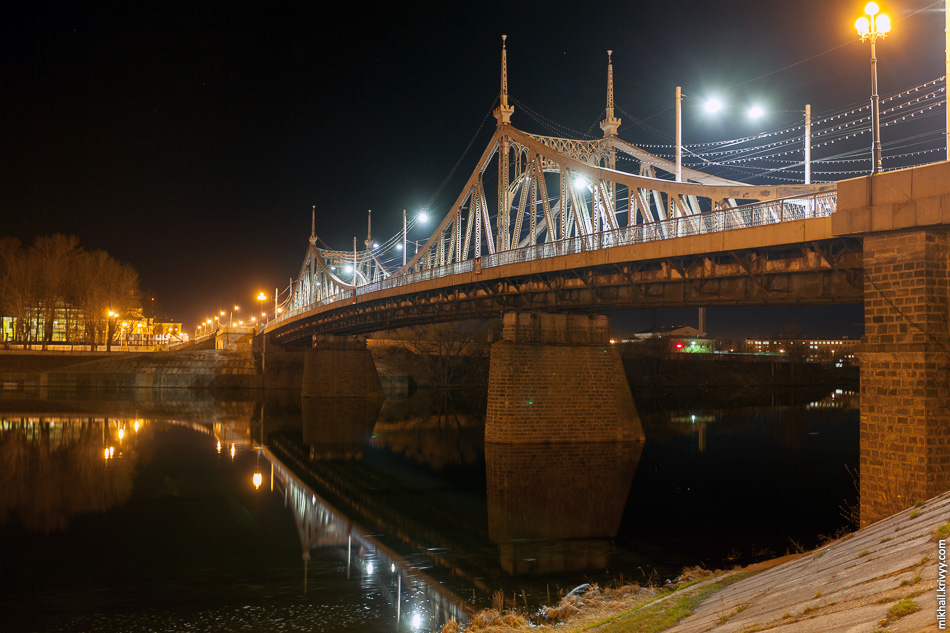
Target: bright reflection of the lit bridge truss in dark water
x=416 y=597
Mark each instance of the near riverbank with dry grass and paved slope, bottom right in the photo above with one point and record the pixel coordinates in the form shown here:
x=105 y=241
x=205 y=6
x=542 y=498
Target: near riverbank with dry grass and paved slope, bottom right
x=882 y=577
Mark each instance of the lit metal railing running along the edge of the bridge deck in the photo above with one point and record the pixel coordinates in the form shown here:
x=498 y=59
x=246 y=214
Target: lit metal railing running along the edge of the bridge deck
x=819 y=205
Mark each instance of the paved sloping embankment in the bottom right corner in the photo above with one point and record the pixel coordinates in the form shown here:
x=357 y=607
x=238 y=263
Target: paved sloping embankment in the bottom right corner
x=857 y=584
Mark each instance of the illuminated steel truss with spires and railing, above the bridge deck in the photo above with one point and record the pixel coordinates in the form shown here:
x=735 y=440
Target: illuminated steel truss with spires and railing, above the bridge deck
x=554 y=197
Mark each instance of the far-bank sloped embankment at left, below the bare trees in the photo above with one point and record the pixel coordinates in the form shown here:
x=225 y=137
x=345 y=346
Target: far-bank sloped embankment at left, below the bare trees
x=223 y=369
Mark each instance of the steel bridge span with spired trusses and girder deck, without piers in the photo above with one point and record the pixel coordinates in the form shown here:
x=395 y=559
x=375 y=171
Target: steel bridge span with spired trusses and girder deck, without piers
x=562 y=211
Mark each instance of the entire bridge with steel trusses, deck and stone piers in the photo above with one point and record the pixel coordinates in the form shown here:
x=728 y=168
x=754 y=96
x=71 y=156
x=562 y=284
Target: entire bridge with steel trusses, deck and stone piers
x=568 y=233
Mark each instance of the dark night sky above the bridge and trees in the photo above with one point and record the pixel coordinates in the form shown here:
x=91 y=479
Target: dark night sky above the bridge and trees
x=190 y=139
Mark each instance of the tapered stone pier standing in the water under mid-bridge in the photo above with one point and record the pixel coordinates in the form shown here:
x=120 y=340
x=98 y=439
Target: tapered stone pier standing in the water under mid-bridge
x=557 y=378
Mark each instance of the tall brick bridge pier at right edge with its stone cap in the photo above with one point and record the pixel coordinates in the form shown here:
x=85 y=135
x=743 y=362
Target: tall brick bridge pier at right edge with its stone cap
x=903 y=218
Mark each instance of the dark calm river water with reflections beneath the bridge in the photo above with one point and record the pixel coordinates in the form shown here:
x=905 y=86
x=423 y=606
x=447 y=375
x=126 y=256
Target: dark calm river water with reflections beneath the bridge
x=138 y=511
